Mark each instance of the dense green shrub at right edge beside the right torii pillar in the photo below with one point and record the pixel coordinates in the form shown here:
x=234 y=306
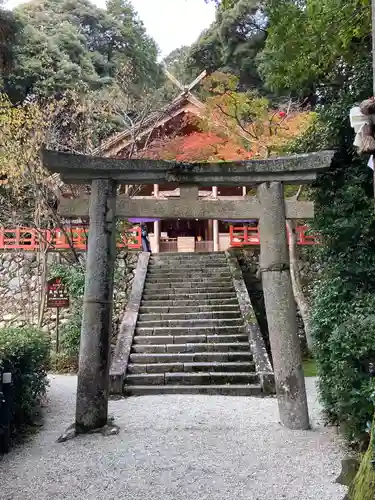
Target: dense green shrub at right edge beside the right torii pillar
x=344 y=333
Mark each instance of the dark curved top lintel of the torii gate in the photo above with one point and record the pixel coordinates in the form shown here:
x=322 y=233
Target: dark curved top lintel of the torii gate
x=81 y=169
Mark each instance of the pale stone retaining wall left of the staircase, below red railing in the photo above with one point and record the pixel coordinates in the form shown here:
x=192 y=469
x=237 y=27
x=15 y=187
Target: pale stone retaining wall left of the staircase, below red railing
x=21 y=278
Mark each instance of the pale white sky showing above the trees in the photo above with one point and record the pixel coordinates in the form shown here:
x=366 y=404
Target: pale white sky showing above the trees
x=172 y=23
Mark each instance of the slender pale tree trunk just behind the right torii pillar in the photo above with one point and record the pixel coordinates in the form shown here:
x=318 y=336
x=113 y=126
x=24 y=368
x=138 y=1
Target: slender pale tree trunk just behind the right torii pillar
x=299 y=295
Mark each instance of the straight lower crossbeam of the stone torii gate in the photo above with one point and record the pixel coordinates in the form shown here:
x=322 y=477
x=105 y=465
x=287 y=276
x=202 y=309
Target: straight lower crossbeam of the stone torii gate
x=187 y=208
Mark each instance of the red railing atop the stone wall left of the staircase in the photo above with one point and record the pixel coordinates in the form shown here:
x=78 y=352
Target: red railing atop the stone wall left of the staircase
x=23 y=238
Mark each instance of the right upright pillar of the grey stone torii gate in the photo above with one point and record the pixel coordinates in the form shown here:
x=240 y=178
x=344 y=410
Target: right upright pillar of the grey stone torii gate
x=281 y=308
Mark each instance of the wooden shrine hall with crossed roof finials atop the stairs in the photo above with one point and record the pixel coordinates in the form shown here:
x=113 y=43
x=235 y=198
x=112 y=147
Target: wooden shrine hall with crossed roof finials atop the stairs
x=181 y=117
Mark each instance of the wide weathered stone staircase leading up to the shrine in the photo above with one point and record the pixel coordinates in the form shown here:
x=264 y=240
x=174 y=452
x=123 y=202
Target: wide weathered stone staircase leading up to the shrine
x=190 y=335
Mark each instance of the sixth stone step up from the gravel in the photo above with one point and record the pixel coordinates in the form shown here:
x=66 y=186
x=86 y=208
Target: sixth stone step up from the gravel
x=186 y=339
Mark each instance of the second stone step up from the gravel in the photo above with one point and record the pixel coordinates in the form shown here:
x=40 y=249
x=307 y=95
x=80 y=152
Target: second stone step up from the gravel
x=190 y=378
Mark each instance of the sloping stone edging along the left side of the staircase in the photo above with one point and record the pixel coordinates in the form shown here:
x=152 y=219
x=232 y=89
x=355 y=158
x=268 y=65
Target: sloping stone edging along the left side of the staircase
x=125 y=336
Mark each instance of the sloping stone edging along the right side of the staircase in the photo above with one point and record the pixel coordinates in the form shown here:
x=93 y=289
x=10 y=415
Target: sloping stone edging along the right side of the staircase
x=258 y=348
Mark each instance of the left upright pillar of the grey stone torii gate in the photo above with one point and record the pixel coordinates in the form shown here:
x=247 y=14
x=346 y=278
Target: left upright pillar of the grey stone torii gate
x=94 y=356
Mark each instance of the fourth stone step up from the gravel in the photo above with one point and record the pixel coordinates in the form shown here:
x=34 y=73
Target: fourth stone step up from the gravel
x=187 y=357
